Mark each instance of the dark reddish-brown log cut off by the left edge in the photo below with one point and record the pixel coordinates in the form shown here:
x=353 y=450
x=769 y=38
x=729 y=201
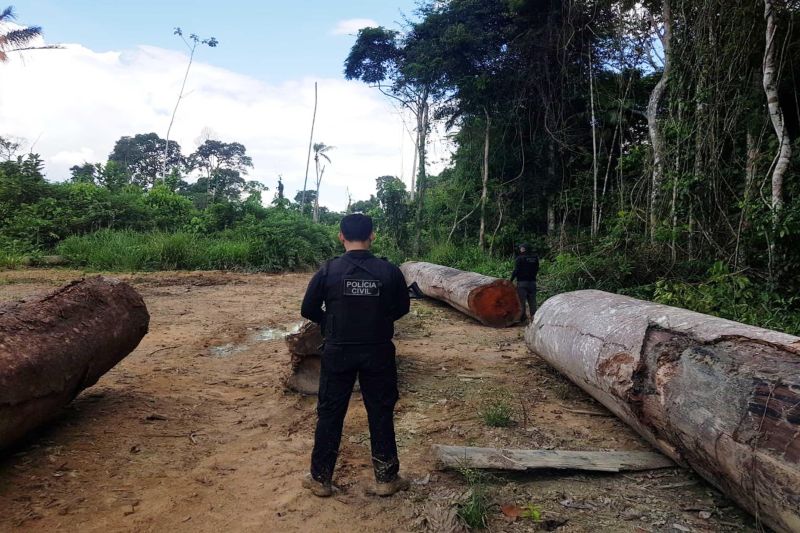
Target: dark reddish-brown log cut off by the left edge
x=53 y=347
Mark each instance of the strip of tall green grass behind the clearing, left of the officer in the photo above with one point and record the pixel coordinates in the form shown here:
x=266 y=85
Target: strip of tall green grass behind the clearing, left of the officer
x=263 y=249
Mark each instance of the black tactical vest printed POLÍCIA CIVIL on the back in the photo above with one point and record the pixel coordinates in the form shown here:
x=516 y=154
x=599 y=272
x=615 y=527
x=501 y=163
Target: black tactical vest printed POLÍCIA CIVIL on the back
x=358 y=300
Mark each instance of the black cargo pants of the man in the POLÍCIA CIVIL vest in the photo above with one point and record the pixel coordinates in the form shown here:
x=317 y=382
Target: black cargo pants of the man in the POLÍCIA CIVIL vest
x=375 y=367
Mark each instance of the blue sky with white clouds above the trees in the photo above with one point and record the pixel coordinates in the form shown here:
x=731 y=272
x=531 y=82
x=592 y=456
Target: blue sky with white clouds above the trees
x=120 y=69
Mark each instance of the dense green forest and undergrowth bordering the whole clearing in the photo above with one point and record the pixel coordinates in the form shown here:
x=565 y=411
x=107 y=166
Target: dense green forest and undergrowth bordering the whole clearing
x=649 y=148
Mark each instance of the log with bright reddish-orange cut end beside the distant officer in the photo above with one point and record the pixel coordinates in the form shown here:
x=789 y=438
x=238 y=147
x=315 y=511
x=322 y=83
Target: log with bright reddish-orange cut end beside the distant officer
x=492 y=301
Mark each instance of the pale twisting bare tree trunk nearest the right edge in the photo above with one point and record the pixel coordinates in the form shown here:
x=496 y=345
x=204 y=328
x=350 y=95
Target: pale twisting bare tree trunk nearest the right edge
x=770 y=82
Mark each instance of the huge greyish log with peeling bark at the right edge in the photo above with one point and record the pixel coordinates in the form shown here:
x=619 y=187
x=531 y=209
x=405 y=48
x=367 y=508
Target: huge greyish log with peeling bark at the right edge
x=712 y=394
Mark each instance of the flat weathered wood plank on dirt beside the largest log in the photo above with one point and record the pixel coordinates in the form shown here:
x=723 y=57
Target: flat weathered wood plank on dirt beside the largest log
x=520 y=460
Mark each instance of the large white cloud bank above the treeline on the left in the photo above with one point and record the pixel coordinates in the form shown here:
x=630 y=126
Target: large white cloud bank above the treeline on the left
x=73 y=104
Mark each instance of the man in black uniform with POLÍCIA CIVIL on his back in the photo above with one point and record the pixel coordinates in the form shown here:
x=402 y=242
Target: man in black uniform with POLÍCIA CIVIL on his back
x=362 y=295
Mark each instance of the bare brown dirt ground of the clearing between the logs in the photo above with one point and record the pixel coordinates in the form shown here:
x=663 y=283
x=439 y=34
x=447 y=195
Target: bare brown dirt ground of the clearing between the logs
x=195 y=432
